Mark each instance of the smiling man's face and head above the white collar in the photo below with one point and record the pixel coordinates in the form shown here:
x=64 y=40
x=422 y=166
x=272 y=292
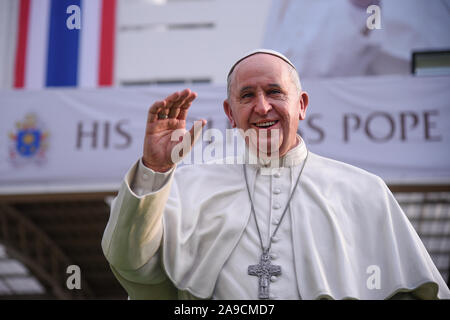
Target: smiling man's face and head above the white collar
x=263 y=97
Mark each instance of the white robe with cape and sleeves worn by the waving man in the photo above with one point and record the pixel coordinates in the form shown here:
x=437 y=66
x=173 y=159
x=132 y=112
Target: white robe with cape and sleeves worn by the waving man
x=190 y=233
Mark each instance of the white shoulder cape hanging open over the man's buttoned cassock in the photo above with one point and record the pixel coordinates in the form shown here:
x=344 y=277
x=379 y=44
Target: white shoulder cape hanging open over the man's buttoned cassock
x=346 y=227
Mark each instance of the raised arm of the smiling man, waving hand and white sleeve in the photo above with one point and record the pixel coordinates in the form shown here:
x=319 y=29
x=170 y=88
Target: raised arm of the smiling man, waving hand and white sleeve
x=133 y=235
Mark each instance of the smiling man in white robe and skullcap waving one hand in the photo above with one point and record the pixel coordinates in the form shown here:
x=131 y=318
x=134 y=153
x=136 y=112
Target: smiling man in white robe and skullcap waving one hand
x=291 y=225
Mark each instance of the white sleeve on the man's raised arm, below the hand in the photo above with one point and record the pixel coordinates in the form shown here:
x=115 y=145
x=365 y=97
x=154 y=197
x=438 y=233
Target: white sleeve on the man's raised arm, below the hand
x=134 y=231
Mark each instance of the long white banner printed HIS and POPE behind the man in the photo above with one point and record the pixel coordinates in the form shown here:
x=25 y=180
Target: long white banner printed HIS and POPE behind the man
x=78 y=140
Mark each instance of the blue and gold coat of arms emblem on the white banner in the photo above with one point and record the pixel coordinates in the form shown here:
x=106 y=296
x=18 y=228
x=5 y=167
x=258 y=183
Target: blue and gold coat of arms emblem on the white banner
x=29 y=143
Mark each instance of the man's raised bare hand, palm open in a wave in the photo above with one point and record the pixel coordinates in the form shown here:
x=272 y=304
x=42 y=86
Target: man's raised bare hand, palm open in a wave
x=166 y=128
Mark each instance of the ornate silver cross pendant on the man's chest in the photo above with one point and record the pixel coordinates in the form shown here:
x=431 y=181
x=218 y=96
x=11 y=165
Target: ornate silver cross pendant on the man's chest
x=264 y=270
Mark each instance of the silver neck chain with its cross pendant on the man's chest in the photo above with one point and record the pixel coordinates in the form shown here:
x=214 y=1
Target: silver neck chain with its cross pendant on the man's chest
x=264 y=270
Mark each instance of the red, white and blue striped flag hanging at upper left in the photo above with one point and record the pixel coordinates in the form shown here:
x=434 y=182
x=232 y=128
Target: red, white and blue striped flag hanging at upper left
x=50 y=54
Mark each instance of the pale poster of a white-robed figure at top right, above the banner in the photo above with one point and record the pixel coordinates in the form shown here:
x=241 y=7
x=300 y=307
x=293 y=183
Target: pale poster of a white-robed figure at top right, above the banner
x=326 y=38
